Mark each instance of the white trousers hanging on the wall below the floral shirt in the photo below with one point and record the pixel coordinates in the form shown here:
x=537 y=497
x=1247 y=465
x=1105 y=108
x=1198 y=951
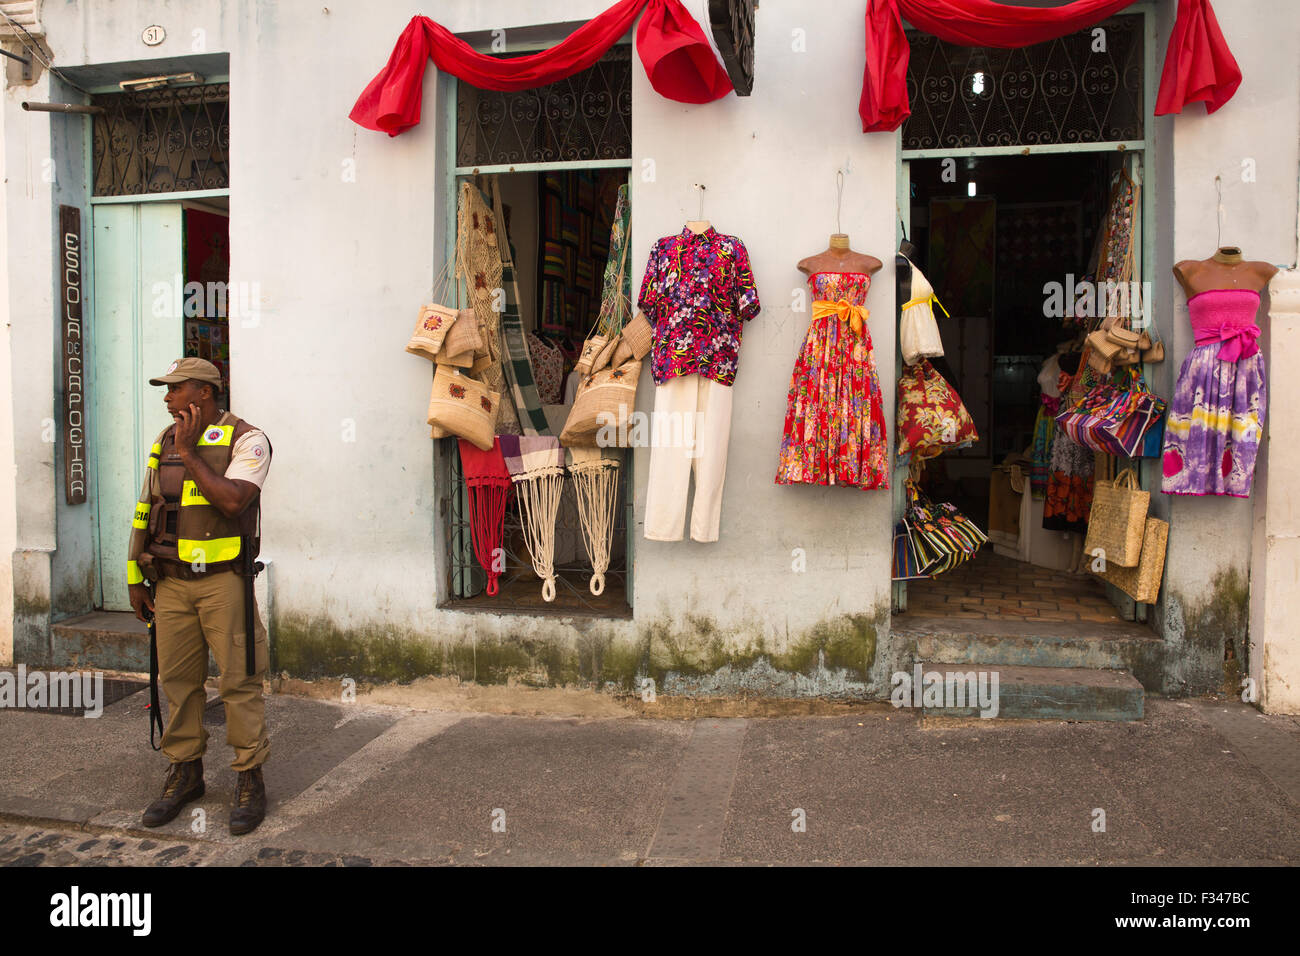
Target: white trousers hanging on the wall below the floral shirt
x=690 y=432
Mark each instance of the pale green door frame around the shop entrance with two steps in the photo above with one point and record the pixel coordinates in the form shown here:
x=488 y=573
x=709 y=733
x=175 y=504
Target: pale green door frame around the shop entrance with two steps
x=1145 y=249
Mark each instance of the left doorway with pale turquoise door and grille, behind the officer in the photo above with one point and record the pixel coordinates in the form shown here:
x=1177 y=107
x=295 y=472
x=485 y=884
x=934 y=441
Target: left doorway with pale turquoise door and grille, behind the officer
x=161 y=280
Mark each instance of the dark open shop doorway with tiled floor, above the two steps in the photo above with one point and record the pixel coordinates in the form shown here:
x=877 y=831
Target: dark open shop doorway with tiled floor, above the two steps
x=1006 y=174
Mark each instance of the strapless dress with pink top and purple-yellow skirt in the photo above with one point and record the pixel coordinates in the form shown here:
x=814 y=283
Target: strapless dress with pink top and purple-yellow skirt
x=1215 y=425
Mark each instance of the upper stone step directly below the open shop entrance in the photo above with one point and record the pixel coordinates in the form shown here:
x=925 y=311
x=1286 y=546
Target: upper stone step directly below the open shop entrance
x=1116 y=646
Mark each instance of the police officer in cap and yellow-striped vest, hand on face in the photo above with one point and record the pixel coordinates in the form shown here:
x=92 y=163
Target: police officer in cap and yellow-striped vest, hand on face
x=197 y=516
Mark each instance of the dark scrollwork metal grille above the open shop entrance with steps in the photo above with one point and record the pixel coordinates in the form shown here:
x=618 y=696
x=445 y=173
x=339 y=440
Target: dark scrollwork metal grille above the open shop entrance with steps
x=1086 y=88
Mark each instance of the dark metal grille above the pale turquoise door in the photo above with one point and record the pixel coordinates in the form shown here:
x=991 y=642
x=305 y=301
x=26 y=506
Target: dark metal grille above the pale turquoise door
x=171 y=140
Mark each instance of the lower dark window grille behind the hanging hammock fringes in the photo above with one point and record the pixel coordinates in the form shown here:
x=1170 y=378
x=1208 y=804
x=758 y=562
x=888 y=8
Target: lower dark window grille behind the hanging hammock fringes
x=521 y=590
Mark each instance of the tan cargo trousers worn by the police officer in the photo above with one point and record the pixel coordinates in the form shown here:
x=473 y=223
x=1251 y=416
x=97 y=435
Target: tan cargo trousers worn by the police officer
x=193 y=617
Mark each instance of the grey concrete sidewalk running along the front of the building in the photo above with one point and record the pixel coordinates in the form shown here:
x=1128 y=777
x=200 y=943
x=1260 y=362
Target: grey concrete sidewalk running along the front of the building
x=1197 y=782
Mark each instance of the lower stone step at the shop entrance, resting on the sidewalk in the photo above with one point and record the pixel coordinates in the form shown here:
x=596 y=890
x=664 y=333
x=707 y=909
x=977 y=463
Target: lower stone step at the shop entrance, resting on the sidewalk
x=1038 y=694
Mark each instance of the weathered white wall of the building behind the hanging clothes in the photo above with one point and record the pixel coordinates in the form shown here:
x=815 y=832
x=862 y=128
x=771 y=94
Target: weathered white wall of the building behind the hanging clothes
x=344 y=261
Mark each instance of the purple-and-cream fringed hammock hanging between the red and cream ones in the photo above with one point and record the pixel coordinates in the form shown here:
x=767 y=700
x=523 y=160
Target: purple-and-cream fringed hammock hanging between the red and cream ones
x=536 y=465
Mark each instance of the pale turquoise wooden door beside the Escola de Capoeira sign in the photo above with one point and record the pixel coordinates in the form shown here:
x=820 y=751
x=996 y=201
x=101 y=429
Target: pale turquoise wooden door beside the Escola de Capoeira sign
x=136 y=334
